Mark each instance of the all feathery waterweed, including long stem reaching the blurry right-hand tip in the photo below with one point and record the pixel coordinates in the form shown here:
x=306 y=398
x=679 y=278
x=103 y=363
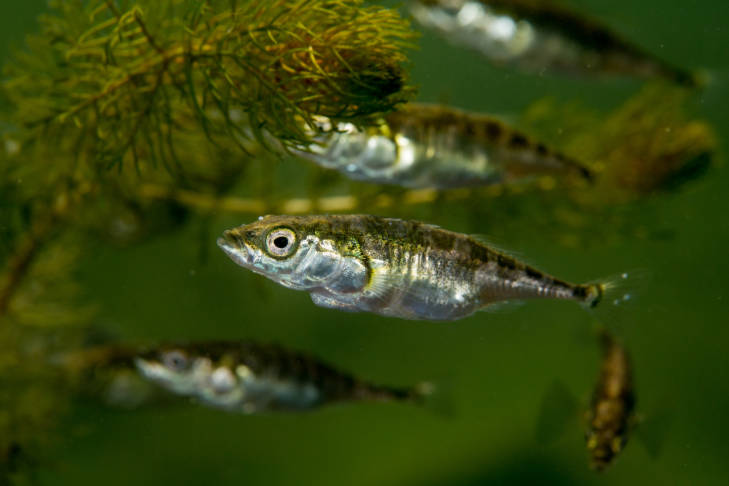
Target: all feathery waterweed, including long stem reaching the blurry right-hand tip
x=121 y=118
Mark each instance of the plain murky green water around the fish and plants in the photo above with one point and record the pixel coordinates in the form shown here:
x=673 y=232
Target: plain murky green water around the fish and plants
x=497 y=366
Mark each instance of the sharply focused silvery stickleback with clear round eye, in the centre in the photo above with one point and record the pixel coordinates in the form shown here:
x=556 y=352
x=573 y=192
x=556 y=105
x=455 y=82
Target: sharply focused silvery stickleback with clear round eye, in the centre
x=390 y=267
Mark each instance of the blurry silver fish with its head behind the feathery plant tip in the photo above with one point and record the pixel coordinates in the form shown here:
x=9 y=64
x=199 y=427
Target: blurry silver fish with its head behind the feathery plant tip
x=431 y=146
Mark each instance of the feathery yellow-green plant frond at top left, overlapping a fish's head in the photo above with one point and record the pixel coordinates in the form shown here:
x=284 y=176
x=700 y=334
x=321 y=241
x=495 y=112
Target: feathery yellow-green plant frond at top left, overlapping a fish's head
x=115 y=76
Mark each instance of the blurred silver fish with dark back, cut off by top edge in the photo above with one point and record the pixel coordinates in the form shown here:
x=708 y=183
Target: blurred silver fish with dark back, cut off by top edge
x=539 y=35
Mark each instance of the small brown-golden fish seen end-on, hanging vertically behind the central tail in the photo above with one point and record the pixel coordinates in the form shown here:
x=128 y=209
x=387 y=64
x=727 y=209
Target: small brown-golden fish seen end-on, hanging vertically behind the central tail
x=610 y=415
